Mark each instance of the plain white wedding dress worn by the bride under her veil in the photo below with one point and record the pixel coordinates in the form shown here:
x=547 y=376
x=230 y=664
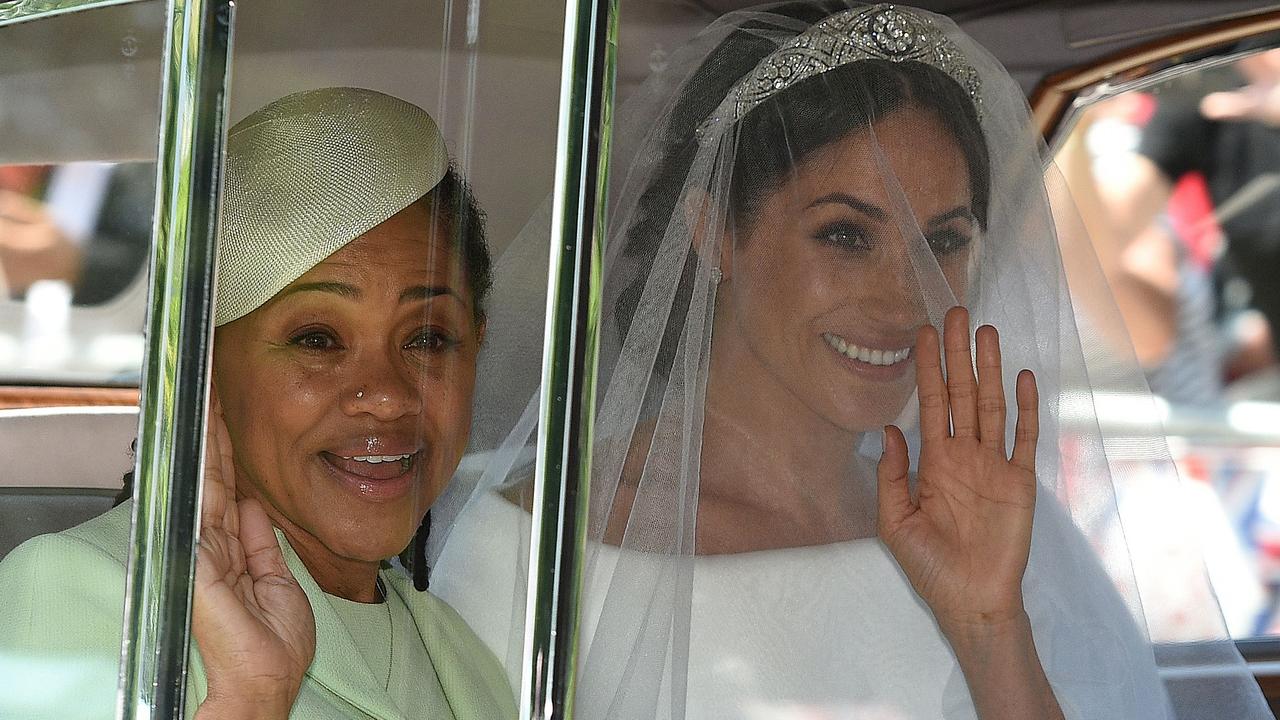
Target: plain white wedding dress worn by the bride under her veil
x=831 y=632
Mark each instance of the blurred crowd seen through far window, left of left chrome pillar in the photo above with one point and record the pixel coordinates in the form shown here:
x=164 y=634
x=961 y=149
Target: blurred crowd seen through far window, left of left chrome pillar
x=74 y=245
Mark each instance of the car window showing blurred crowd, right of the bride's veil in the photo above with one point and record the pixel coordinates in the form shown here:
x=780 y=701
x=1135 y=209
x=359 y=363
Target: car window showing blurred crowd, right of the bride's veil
x=1178 y=183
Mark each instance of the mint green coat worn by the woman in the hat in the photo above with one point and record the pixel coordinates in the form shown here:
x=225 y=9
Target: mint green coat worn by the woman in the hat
x=62 y=605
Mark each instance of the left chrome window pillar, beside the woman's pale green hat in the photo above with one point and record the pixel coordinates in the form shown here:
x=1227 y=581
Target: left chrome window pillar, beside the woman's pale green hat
x=175 y=376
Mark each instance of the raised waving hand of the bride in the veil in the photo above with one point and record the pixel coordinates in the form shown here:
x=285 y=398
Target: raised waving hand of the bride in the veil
x=964 y=539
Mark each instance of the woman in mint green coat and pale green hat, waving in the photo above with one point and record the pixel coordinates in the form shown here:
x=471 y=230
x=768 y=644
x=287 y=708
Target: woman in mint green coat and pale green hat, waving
x=350 y=313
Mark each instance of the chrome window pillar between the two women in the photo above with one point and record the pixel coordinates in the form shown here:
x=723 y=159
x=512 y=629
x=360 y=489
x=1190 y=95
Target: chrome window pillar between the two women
x=569 y=361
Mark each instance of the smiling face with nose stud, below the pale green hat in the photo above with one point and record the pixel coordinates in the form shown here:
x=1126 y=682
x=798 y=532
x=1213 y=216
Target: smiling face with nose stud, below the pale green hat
x=349 y=395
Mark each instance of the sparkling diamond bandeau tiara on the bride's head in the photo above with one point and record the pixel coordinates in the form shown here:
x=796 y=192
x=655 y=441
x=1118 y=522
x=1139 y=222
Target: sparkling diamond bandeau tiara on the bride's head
x=876 y=33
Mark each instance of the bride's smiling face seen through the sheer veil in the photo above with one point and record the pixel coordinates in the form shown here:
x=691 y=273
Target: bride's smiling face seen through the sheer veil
x=834 y=279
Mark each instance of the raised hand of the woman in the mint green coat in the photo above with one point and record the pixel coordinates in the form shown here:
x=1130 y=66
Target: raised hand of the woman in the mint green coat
x=250 y=617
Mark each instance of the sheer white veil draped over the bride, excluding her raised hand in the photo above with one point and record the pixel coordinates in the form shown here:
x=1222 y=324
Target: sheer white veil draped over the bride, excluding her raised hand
x=799 y=190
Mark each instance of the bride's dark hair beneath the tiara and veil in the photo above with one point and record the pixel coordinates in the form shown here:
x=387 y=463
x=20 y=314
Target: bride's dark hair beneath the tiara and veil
x=776 y=136
